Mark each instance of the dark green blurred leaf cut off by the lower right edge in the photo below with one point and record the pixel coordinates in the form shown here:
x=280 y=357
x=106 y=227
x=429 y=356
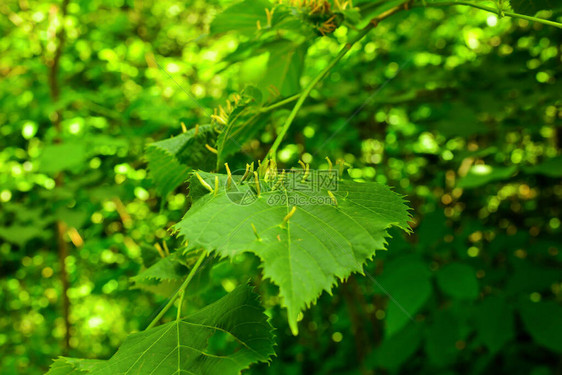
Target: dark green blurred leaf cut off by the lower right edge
x=542 y=321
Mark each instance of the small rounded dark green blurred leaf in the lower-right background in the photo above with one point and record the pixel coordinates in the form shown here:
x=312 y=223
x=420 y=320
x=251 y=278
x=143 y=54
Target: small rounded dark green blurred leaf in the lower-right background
x=458 y=280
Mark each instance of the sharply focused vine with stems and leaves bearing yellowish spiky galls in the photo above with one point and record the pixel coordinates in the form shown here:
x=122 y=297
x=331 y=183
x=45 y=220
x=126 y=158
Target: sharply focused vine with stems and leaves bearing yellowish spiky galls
x=308 y=228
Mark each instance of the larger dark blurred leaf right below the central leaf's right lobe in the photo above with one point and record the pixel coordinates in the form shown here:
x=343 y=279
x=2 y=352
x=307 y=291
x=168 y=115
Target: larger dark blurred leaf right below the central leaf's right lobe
x=406 y=281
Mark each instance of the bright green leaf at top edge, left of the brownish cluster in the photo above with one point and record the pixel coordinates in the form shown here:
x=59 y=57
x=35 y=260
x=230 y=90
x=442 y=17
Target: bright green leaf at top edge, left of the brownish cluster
x=241 y=17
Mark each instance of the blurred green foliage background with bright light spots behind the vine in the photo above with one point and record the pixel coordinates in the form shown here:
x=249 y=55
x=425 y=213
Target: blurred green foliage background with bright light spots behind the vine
x=456 y=108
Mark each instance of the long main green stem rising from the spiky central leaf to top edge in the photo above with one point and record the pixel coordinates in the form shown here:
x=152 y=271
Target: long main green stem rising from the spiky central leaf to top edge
x=302 y=97
